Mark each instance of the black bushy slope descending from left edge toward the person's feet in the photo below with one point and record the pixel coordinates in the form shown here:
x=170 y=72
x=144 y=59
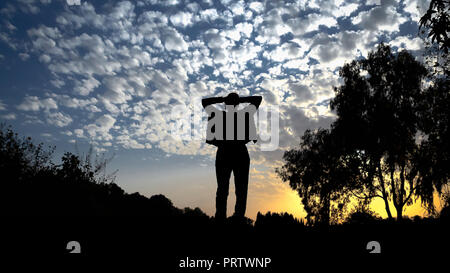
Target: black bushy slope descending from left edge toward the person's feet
x=75 y=196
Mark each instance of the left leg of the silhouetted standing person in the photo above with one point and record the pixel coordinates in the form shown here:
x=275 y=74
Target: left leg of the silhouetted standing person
x=223 y=173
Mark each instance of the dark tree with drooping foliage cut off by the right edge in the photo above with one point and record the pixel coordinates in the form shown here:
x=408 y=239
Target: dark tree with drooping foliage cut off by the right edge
x=434 y=158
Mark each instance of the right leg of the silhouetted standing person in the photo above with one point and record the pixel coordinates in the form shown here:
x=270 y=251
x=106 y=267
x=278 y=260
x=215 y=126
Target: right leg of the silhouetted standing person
x=241 y=171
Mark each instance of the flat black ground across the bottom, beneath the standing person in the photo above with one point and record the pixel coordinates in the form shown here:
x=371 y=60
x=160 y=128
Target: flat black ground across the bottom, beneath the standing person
x=159 y=242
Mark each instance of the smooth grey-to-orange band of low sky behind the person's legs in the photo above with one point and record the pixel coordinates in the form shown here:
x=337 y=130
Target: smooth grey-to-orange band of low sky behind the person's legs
x=196 y=187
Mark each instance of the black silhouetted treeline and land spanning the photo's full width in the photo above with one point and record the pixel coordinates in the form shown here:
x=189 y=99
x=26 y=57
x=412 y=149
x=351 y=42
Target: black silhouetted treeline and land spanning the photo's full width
x=47 y=205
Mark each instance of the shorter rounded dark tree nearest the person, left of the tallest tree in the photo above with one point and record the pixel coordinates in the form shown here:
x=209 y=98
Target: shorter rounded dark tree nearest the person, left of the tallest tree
x=322 y=175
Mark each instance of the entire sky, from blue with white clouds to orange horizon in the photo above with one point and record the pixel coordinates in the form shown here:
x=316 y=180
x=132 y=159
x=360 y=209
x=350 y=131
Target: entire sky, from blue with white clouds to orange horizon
x=114 y=74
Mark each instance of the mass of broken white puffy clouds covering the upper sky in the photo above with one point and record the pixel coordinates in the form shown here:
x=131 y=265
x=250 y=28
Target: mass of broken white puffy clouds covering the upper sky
x=121 y=68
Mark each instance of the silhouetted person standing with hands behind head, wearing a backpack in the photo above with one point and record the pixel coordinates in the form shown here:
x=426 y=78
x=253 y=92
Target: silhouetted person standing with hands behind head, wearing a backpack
x=230 y=131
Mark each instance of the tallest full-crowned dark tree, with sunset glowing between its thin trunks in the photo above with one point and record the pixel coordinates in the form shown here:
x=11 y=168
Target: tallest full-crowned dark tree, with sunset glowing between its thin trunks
x=377 y=114
